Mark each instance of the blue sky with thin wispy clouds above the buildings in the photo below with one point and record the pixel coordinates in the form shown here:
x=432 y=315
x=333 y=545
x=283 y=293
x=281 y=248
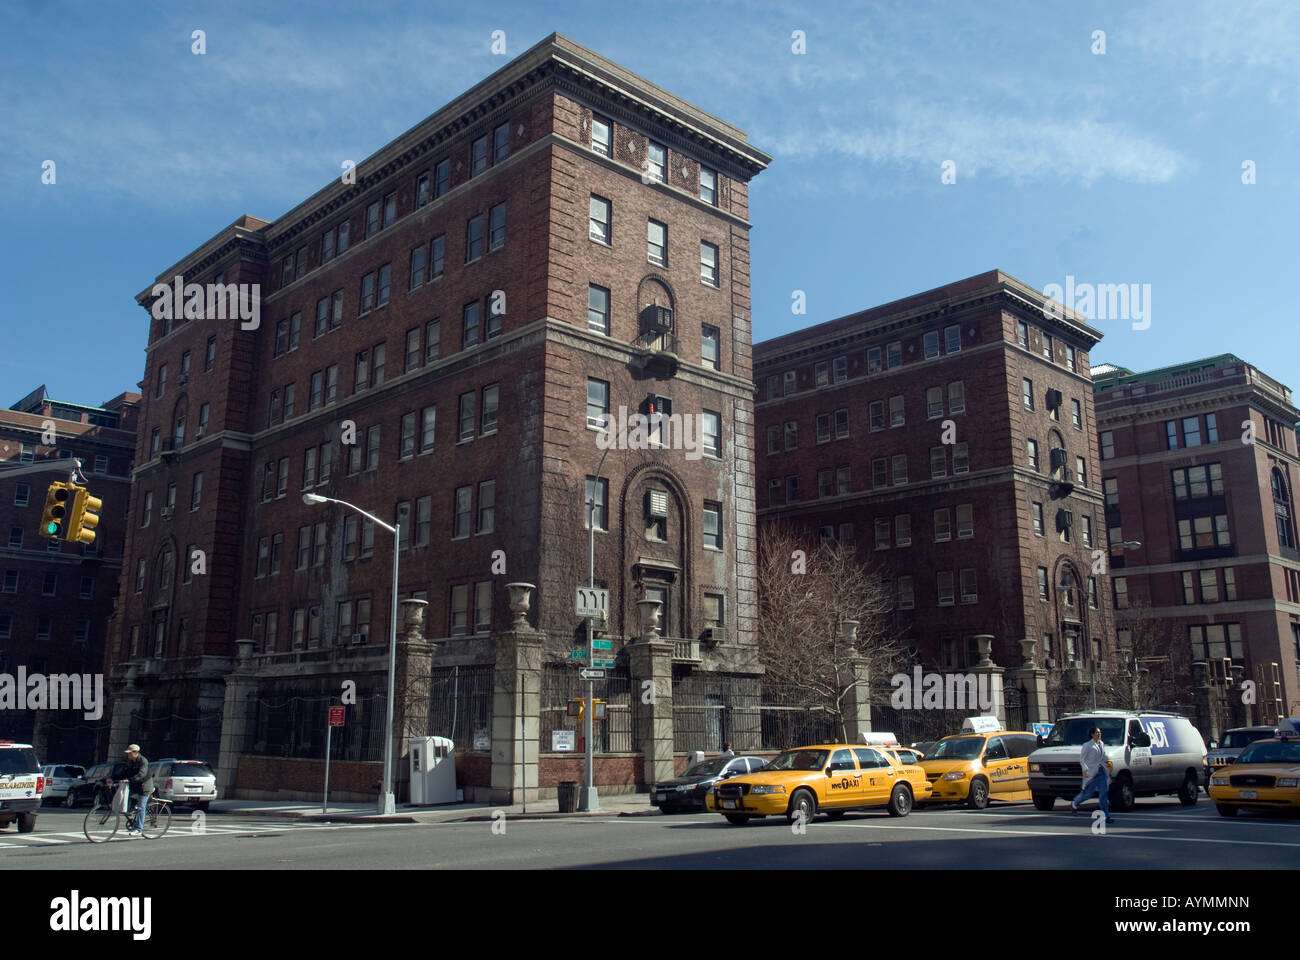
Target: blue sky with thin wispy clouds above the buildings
x=1123 y=167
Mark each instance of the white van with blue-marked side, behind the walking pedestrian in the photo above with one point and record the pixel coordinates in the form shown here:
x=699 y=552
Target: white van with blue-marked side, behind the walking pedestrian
x=1149 y=754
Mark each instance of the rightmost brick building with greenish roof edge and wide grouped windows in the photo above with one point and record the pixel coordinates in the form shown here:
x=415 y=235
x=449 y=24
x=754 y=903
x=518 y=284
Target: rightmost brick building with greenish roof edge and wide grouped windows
x=1199 y=465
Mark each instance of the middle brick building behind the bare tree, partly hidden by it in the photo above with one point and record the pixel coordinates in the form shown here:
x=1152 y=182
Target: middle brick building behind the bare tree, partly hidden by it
x=977 y=533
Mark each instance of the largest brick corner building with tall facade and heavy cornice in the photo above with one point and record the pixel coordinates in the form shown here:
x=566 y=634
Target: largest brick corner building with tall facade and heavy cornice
x=437 y=344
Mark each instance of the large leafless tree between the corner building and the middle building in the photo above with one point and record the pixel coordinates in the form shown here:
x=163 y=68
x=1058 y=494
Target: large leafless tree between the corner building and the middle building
x=805 y=594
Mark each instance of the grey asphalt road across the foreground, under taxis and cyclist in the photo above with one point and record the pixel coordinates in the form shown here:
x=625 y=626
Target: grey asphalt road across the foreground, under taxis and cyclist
x=1159 y=834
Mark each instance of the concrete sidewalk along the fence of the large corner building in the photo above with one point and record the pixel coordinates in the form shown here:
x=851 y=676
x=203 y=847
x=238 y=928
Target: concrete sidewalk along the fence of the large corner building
x=613 y=806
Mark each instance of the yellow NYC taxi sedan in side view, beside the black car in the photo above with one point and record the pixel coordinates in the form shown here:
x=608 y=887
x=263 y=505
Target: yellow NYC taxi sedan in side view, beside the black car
x=830 y=779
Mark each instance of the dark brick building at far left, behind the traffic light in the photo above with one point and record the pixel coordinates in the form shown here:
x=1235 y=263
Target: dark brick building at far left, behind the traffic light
x=57 y=599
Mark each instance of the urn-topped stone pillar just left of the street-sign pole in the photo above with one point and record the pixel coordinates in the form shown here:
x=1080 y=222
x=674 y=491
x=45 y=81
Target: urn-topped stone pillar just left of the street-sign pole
x=515 y=708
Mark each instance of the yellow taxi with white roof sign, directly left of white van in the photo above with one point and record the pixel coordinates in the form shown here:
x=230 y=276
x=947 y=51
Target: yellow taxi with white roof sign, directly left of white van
x=981 y=766
